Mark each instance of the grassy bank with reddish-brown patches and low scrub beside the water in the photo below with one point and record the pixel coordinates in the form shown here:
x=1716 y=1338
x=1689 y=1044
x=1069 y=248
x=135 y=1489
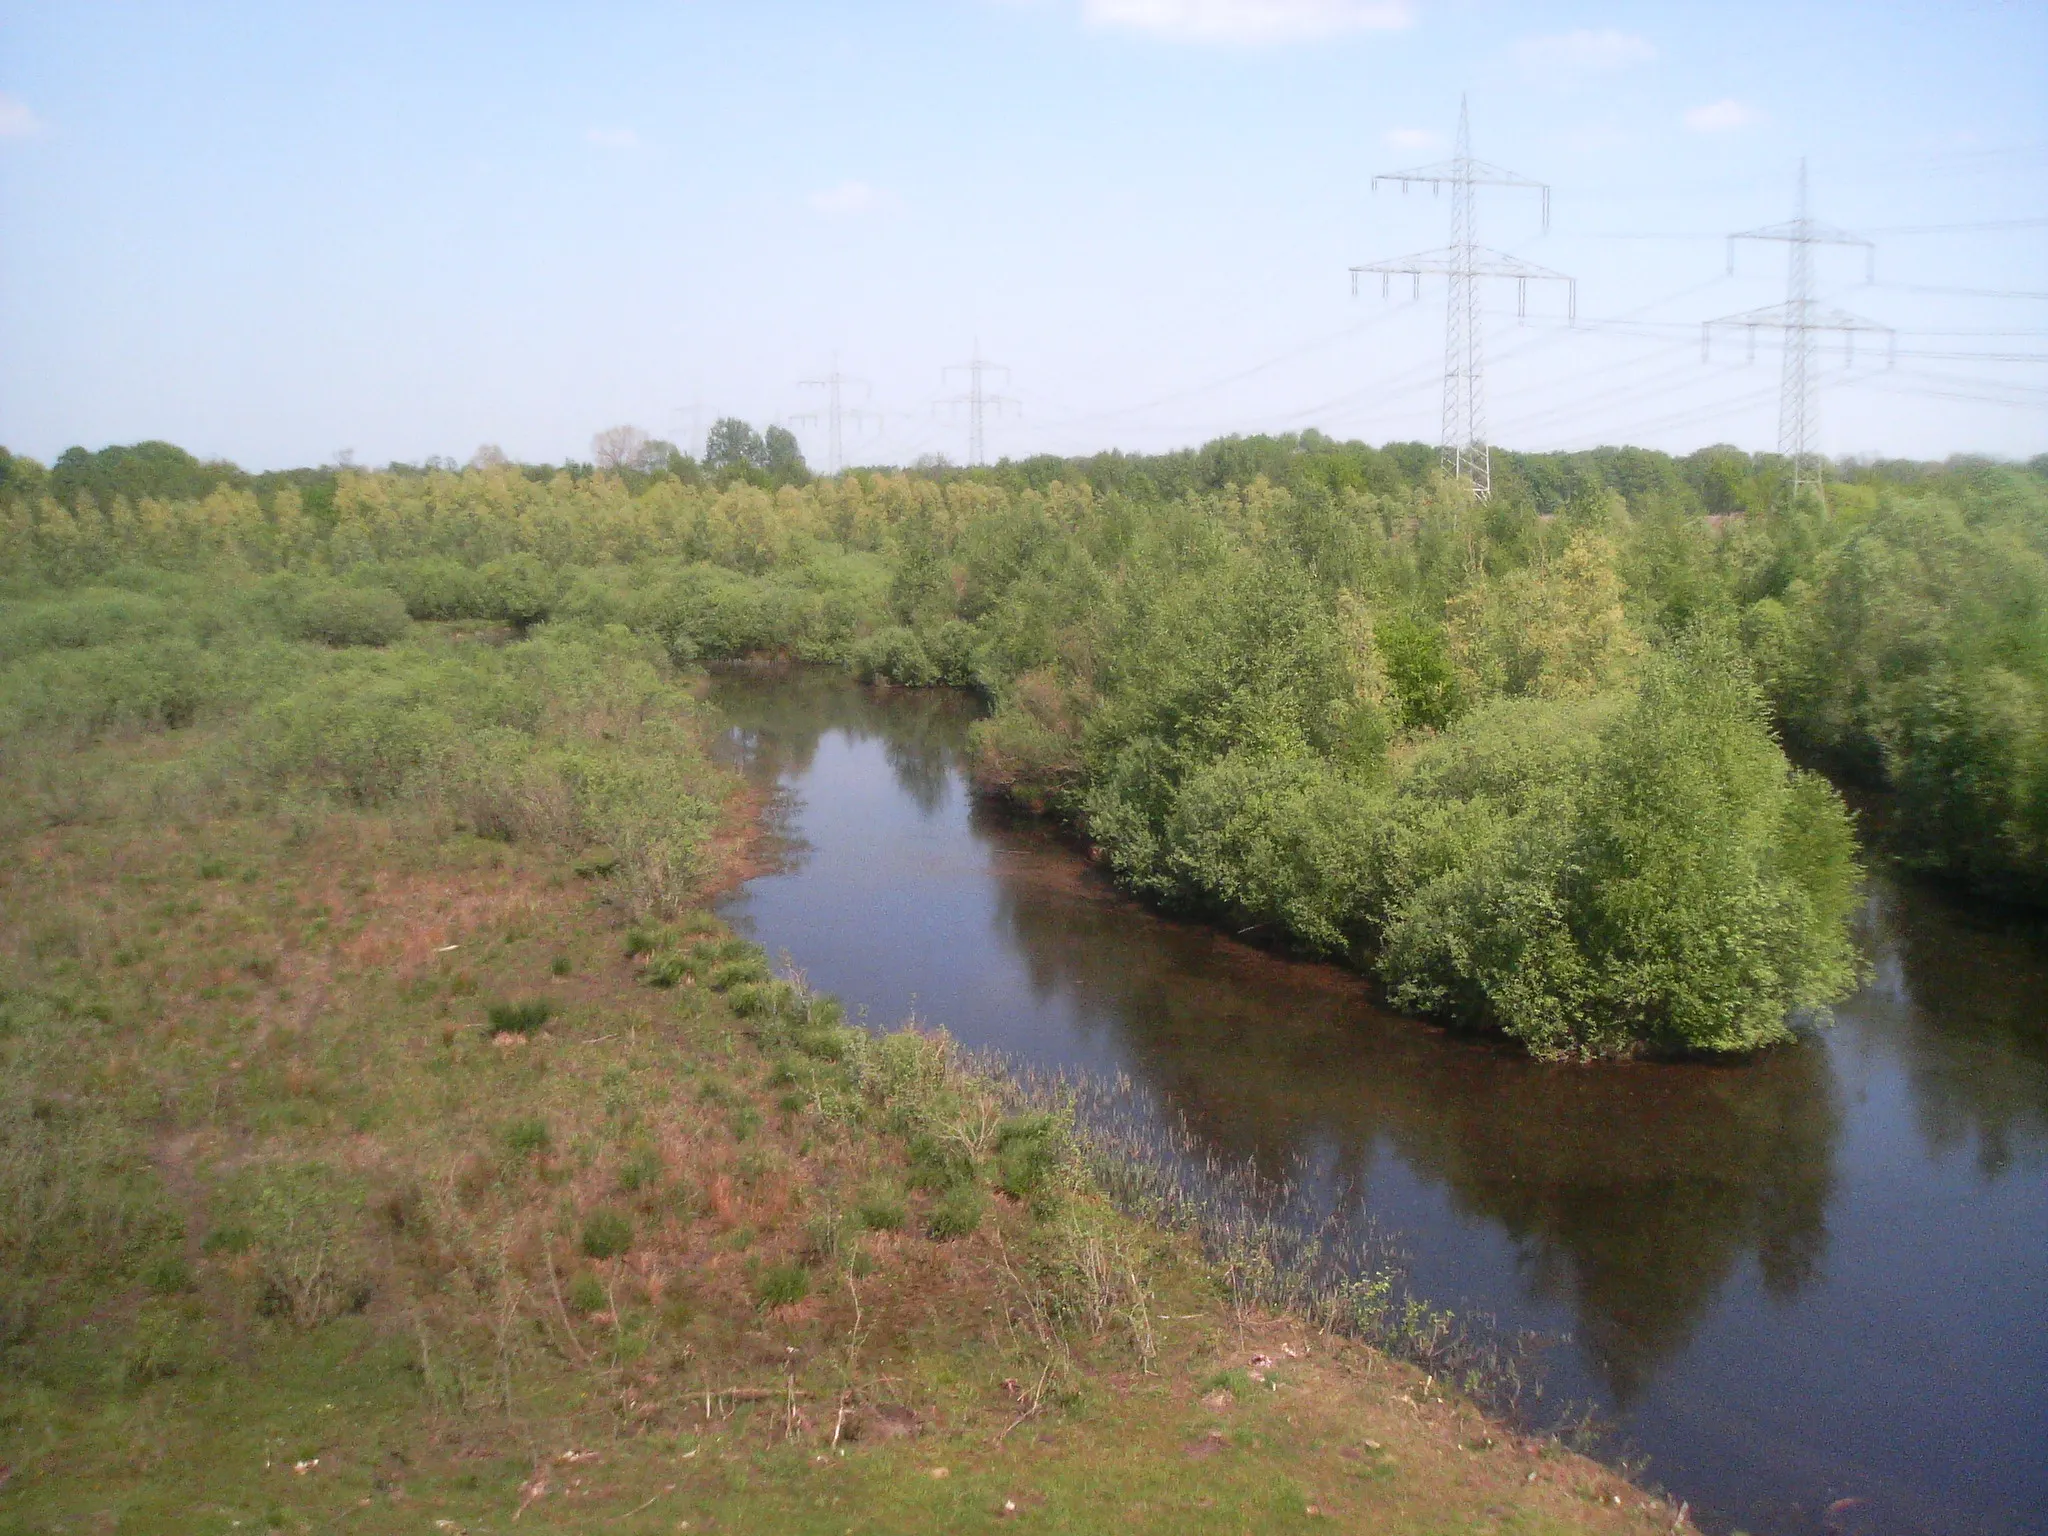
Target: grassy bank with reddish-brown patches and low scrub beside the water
x=392 y=1142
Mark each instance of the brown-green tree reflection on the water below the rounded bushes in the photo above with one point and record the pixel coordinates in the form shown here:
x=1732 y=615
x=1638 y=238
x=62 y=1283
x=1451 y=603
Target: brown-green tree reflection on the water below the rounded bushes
x=1631 y=1193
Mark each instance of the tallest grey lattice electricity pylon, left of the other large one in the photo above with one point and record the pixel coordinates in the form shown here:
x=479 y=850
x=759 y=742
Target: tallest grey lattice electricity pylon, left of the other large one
x=1463 y=263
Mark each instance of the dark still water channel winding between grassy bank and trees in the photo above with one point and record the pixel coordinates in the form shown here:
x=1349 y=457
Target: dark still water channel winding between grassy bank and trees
x=1816 y=1277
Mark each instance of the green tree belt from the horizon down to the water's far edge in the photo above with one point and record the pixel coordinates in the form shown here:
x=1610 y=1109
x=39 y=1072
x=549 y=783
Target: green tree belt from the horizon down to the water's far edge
x=1523 y=759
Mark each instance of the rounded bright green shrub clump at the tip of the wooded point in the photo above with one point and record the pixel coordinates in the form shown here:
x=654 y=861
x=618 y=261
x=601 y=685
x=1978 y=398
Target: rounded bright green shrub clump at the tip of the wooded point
x=1666 y=882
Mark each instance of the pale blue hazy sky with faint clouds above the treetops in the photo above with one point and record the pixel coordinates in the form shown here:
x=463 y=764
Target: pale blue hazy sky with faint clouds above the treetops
x=282 y=230
